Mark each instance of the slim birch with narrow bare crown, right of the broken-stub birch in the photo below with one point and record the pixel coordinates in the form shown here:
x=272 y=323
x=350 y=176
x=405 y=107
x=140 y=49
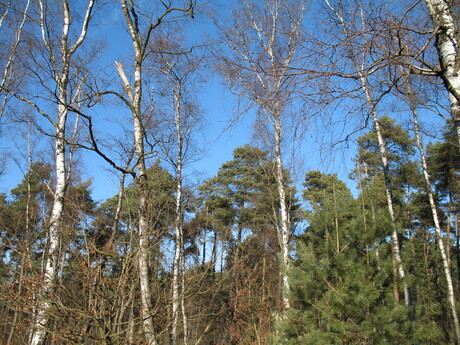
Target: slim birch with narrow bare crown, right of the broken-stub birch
x=177 y=71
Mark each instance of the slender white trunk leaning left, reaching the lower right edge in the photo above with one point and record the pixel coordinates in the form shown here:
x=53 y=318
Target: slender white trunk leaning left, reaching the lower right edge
x=434 y=212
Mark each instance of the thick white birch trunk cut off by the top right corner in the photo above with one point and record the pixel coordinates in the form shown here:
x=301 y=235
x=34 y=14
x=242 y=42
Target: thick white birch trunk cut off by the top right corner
x=445 y=22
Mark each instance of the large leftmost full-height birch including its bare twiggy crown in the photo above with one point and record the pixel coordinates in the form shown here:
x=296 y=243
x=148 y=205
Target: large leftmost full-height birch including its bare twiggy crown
x=60 y=71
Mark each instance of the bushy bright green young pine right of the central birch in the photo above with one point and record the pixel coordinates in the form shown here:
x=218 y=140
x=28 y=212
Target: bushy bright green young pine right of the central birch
x=341 y=293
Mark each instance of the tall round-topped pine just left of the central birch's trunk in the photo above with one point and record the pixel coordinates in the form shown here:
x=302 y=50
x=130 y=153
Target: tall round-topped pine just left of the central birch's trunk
x=244 y=201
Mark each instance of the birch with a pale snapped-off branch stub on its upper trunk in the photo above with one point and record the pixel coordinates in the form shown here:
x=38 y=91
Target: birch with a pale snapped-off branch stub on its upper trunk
x=140 y=28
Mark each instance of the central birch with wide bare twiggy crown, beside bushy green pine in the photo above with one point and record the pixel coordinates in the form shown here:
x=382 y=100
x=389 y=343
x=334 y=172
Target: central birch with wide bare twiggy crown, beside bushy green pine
x=260 y=47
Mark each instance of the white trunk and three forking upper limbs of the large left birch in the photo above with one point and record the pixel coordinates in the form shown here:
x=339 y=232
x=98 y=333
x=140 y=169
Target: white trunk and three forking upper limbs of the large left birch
x=61 y=79
